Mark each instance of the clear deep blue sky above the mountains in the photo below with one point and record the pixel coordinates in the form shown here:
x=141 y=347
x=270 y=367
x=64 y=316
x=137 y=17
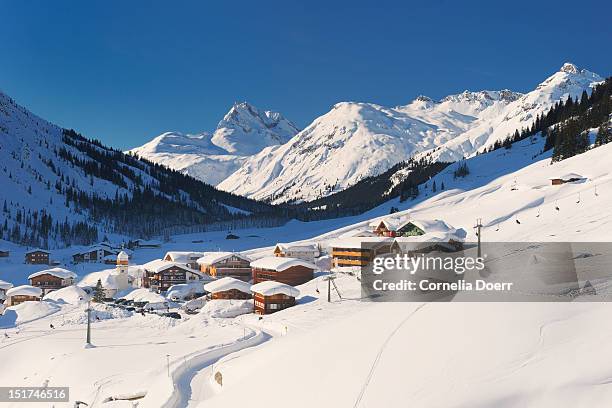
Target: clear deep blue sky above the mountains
x=125 y=71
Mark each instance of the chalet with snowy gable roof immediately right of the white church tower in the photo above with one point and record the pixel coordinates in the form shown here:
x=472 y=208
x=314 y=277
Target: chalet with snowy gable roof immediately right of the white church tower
x=160 y=275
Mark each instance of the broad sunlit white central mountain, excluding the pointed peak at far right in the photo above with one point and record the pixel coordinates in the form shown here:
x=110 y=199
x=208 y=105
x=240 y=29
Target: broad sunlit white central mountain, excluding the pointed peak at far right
x=356 y=140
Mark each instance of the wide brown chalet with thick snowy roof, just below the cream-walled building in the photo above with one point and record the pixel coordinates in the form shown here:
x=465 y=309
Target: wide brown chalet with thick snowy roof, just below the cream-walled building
x=291 y=271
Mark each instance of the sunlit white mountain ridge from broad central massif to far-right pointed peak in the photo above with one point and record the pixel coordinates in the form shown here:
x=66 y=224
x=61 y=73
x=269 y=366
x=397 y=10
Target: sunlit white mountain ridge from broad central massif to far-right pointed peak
x=357 y=140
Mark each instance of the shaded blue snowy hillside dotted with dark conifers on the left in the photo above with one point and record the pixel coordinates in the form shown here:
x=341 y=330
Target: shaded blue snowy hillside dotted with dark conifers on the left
x=59 y=188
